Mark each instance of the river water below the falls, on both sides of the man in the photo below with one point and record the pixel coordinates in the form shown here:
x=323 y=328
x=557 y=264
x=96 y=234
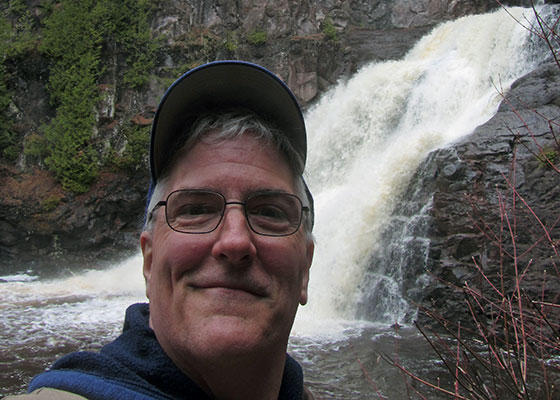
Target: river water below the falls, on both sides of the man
x=43 y=319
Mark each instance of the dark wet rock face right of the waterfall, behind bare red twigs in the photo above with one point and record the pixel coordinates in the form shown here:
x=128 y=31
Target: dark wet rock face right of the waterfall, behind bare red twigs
x=473 y=200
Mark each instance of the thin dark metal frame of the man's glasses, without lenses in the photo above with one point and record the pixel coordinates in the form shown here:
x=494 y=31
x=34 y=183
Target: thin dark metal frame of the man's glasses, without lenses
x=163 y=203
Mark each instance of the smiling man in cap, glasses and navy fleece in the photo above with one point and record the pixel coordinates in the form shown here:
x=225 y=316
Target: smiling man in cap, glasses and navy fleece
x=227 y=248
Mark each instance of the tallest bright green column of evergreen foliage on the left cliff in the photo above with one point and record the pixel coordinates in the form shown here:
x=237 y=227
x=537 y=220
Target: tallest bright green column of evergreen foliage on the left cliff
x=73 y=39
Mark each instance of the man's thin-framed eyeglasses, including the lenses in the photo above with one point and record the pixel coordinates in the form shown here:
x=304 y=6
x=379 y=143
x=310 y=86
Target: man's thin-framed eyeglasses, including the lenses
x=201 y=211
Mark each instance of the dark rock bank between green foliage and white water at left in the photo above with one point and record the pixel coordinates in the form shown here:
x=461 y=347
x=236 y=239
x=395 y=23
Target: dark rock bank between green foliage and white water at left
x=40 y=223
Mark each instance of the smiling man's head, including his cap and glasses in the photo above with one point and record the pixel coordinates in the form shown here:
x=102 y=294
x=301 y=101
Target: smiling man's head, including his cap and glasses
x=227 y=246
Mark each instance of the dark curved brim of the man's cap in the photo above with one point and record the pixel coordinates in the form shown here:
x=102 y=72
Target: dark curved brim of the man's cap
x=220 y=85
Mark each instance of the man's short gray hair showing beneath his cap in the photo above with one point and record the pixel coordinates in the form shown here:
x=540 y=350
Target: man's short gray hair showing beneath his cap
x=230 y=125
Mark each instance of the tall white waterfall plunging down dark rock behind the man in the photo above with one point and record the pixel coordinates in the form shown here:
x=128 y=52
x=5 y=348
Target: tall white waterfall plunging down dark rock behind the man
x=368 y=135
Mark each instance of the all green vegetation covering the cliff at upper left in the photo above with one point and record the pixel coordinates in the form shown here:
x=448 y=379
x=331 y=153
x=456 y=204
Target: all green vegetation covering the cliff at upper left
x=75 y=37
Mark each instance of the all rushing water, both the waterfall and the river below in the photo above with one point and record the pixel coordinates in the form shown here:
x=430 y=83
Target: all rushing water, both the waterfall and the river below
x=367 y=137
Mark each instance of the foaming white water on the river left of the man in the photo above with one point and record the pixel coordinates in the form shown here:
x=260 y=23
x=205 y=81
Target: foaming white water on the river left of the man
x=60 y=308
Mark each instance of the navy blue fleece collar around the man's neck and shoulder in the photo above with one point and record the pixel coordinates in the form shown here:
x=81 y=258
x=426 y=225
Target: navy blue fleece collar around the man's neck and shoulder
x=135 y=366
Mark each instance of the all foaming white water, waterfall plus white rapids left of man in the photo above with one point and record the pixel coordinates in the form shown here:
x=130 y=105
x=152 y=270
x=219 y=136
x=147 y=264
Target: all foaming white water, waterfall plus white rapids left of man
x=366 y=138
